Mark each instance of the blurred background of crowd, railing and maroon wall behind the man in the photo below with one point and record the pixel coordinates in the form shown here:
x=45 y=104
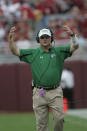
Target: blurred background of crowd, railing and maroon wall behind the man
x=29 y=16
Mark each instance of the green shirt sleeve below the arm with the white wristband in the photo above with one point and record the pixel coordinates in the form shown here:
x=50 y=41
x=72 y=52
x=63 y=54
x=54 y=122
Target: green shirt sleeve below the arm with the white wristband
x=64 y=51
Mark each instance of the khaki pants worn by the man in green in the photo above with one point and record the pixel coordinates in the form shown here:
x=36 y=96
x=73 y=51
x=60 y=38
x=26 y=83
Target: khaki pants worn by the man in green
x=52 y=99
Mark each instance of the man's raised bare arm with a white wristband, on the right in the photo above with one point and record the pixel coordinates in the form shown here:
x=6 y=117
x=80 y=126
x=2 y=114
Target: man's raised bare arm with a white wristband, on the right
x=74 y=44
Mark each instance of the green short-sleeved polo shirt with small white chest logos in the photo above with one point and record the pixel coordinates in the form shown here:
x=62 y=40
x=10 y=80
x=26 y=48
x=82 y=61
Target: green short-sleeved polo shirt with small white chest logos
x=46 y=67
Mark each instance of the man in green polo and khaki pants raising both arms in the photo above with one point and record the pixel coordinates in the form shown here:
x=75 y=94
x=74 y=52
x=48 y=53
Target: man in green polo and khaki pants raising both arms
x=46 y=64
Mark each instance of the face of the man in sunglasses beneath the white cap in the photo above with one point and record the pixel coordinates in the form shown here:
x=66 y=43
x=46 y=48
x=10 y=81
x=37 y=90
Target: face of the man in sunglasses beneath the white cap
x=45 y=40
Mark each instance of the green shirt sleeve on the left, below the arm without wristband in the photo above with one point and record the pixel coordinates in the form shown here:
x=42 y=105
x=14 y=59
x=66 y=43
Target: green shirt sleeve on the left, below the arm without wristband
x=26 y=55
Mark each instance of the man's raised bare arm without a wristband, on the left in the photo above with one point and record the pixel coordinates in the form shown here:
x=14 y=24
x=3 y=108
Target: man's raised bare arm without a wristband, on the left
x=14 y=49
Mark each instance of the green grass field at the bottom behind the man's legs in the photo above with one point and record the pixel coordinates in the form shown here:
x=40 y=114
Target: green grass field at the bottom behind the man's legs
x=26 y=122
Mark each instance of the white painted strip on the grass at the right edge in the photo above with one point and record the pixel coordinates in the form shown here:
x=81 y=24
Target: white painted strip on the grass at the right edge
x=82 y=113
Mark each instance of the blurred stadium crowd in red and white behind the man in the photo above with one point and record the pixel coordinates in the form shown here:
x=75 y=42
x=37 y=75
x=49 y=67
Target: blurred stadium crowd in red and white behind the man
x=30 y=15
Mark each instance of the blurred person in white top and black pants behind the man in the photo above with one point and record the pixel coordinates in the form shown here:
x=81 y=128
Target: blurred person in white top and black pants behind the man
x=67 y=84
